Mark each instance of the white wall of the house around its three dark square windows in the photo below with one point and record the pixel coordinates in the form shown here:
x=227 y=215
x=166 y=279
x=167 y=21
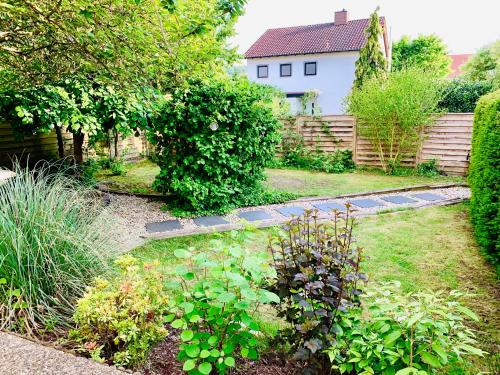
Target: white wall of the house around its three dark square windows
x=334 y=77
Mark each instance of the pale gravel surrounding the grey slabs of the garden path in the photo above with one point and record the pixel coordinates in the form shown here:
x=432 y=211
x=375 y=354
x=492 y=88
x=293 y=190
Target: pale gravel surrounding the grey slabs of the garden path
x=132 y=214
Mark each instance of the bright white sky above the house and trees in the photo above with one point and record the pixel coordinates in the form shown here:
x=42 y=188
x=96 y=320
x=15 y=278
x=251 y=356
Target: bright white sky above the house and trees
x=464 y=25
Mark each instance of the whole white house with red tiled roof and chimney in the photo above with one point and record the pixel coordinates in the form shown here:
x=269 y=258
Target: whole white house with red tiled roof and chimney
x=314 y=58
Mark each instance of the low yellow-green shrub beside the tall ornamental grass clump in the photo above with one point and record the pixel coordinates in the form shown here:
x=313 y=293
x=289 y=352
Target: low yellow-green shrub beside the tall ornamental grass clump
x=120 y=320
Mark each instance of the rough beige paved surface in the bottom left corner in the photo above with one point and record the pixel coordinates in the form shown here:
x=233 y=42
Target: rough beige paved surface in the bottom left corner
x=19 y=356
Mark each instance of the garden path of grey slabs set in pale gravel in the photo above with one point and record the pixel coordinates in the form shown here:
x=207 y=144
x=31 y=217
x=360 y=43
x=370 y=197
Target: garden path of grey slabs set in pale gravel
x=144 y=219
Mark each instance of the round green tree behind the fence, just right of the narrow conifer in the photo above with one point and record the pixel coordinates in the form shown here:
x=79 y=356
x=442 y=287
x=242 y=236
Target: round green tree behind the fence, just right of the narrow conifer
x=426 y=51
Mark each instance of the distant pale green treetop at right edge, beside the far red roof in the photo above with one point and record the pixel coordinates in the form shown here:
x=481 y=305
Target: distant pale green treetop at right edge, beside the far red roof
x=485 y=65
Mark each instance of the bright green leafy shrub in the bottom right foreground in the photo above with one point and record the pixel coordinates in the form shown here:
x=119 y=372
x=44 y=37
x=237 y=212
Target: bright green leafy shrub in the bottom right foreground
x=416 y=333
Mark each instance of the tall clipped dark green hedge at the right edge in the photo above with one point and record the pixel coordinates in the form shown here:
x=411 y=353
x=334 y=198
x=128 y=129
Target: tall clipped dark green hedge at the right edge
x=484 y=175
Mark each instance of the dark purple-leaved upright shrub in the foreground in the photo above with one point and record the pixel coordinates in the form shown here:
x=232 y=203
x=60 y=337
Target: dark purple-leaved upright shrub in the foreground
x=318 y=272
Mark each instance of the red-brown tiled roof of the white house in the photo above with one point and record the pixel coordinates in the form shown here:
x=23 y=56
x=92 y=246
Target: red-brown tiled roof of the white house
x=320 y=38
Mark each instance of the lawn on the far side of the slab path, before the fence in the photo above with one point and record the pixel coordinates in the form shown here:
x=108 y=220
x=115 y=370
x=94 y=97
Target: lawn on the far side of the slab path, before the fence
x=140 y=177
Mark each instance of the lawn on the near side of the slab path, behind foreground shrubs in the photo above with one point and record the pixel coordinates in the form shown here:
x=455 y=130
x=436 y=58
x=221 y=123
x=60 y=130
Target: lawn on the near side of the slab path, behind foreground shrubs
x=432 y=248
